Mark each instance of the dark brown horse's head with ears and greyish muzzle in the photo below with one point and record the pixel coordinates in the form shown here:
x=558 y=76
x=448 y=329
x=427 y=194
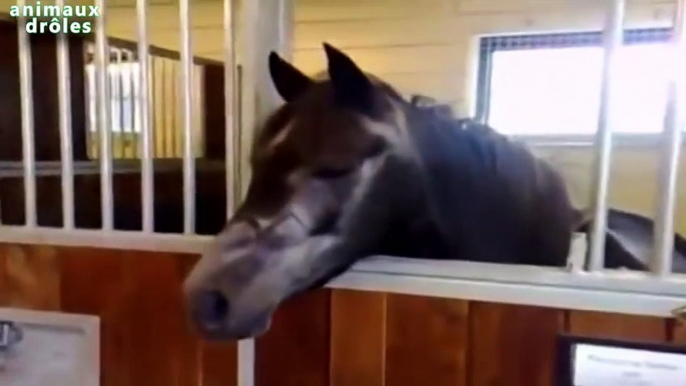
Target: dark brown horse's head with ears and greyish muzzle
x=312 y=164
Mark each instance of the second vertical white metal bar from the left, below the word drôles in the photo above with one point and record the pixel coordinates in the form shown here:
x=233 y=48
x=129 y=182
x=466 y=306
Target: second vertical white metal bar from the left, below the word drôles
x=67 y=155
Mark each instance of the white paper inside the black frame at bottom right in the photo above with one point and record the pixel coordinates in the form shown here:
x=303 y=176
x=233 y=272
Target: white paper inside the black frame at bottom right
x=613 y=366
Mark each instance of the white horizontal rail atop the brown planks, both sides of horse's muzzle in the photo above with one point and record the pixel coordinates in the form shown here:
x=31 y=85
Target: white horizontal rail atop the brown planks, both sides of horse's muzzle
x=638 y=293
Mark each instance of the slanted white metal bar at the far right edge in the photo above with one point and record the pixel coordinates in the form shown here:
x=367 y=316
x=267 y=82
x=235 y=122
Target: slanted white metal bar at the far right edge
x=674 y=124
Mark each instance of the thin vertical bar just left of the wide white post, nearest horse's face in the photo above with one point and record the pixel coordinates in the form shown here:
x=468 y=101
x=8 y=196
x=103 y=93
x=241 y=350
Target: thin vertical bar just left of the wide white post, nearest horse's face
x=229 y=105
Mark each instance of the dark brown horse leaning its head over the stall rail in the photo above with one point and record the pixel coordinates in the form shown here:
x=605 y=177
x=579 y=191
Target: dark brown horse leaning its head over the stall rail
x=347 y=168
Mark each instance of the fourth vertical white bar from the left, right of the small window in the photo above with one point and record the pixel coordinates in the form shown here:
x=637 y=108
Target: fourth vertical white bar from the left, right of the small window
x=147 y=183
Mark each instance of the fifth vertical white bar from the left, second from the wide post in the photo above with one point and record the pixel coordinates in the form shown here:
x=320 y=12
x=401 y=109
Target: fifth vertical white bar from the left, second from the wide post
x=187 y=82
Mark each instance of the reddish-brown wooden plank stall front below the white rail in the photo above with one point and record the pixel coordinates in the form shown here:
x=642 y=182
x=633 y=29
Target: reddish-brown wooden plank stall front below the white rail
x=326 y=337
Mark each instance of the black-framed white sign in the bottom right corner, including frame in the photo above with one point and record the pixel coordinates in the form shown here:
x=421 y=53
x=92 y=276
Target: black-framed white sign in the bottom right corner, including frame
x=585 y=361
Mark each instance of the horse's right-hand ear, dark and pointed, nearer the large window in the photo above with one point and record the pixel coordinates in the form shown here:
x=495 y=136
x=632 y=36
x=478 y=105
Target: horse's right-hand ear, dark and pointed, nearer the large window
x=351 y=86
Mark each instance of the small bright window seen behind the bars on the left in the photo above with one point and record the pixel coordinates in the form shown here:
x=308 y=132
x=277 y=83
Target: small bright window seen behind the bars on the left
x=123 y=86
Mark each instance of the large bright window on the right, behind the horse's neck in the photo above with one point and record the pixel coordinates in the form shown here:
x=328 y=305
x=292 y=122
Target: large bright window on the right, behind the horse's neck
x=550 y=84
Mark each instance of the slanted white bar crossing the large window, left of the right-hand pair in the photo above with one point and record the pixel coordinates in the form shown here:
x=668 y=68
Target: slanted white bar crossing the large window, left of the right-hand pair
x=603 y=146
